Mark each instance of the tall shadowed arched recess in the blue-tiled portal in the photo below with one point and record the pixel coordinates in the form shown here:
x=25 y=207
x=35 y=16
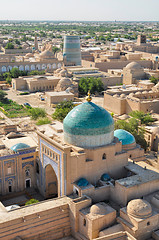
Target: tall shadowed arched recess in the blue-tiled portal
x=51 y=182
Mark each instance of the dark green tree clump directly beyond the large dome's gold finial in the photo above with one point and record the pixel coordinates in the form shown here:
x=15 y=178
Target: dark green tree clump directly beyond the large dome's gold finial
x=95 y=85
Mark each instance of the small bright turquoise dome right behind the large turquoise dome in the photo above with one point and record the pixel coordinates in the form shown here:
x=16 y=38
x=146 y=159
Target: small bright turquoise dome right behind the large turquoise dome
x=124 y=136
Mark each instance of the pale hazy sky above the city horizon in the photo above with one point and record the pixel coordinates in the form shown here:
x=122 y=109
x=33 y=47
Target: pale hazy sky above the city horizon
x=90 y=10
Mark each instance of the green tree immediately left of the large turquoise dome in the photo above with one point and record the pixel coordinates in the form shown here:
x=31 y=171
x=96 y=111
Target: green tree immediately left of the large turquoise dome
x=62 y=109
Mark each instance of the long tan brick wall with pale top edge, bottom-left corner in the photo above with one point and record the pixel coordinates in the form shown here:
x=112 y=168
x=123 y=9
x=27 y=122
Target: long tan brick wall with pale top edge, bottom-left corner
x=45 y=220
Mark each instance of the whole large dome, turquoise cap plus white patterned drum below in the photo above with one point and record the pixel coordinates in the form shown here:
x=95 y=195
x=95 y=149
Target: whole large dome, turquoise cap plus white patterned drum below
x=90 y=121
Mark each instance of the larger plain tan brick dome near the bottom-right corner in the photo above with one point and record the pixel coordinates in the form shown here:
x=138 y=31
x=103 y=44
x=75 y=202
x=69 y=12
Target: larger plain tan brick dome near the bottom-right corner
x=139 y=208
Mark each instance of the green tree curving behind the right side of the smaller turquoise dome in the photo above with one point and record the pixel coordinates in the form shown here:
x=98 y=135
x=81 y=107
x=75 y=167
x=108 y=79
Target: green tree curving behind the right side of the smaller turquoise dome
x=132 y=126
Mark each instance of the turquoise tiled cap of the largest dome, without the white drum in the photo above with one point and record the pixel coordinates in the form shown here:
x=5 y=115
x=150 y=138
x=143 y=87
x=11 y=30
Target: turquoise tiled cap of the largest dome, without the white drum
x=88 y=119
